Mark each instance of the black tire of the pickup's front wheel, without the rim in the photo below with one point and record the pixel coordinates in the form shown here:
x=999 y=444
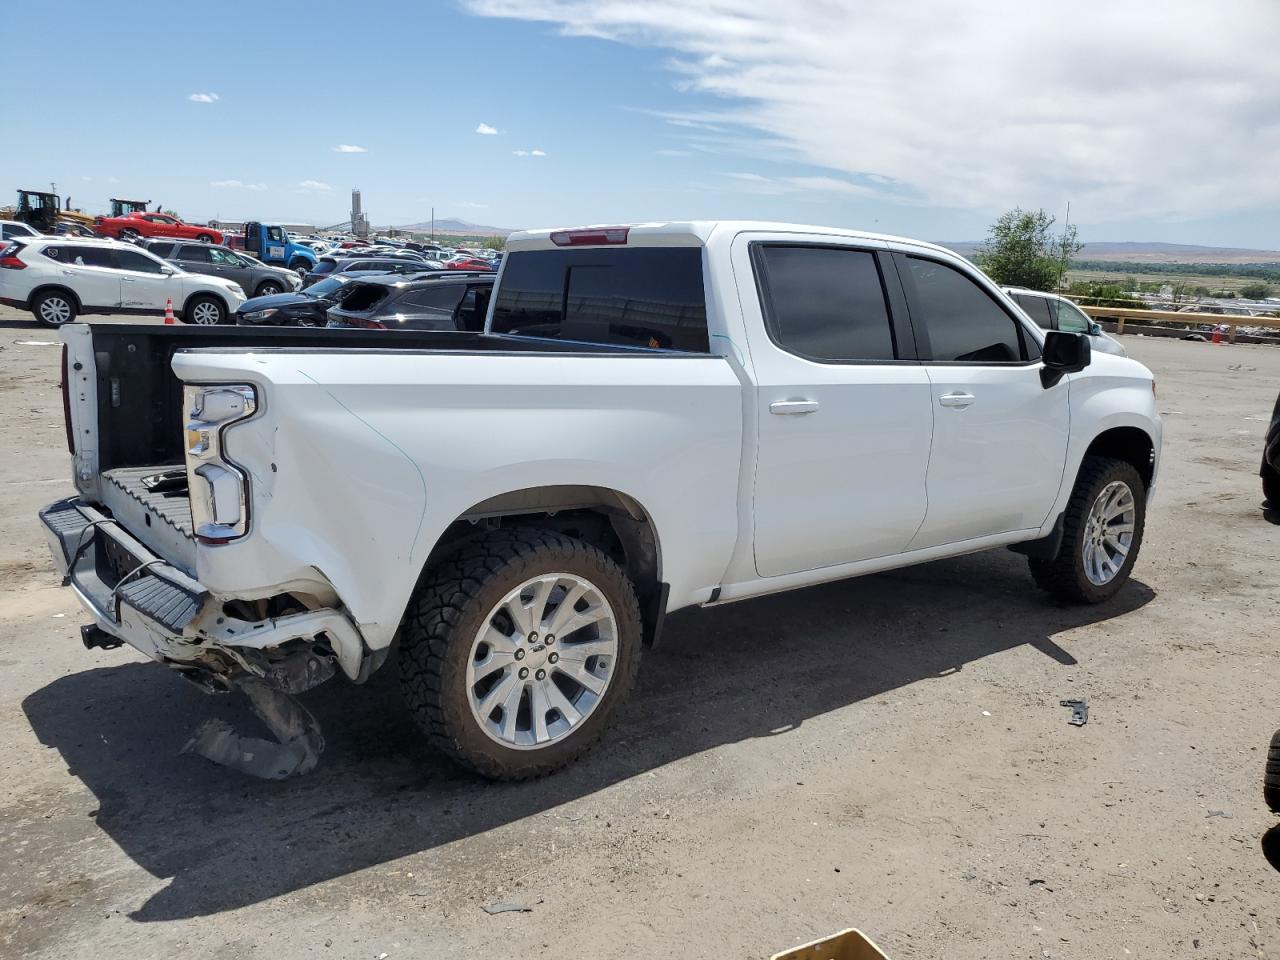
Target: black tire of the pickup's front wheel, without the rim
x=1064 y=577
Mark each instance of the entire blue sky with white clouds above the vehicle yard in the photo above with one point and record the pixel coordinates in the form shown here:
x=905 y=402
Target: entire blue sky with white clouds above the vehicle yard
x=903 y=118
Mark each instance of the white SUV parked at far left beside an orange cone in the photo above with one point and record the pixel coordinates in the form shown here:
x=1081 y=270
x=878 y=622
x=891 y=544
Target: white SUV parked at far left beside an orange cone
x=58 y=278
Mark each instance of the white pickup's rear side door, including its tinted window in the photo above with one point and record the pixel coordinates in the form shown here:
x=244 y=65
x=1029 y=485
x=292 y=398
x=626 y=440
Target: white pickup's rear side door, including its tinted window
x=844 y=410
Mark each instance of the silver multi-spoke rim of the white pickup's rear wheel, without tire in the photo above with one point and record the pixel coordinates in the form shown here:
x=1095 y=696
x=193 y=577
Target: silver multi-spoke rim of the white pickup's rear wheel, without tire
x=542 y=661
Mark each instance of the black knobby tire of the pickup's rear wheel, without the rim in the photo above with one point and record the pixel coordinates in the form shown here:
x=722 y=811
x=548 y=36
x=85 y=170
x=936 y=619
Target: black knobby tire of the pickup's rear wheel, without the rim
x=445 y=616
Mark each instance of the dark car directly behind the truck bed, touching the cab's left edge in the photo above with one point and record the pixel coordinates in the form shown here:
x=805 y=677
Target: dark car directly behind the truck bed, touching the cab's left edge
x=440 y=301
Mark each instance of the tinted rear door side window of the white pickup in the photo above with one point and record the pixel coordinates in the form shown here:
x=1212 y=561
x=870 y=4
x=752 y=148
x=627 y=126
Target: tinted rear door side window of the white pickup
x=825 y=303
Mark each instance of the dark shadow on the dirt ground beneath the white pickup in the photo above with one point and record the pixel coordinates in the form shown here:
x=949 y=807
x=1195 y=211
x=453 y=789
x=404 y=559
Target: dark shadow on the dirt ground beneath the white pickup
x=758 y=669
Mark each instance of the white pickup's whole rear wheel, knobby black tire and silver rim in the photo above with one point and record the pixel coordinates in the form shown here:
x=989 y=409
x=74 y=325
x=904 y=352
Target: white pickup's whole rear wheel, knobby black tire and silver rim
x=516 y=653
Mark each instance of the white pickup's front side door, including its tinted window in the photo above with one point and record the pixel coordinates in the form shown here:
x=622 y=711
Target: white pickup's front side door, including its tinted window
x=999 y=437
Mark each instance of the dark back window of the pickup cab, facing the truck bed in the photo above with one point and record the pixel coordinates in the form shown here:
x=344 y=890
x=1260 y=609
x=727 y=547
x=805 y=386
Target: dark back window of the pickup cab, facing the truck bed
x=639 y=296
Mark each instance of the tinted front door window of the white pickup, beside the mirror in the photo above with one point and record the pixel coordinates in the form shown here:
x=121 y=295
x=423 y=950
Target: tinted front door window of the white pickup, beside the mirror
x=964 y=323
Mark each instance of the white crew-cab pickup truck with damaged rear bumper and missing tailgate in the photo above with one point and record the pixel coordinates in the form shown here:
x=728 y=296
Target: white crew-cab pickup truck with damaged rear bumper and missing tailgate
x=657 y=417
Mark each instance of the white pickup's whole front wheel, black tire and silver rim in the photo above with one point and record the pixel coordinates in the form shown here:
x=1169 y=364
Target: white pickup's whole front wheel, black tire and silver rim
x=1101 y=537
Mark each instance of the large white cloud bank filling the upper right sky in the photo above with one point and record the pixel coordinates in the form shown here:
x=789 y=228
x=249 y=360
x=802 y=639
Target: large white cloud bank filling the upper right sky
x=981 y=108
